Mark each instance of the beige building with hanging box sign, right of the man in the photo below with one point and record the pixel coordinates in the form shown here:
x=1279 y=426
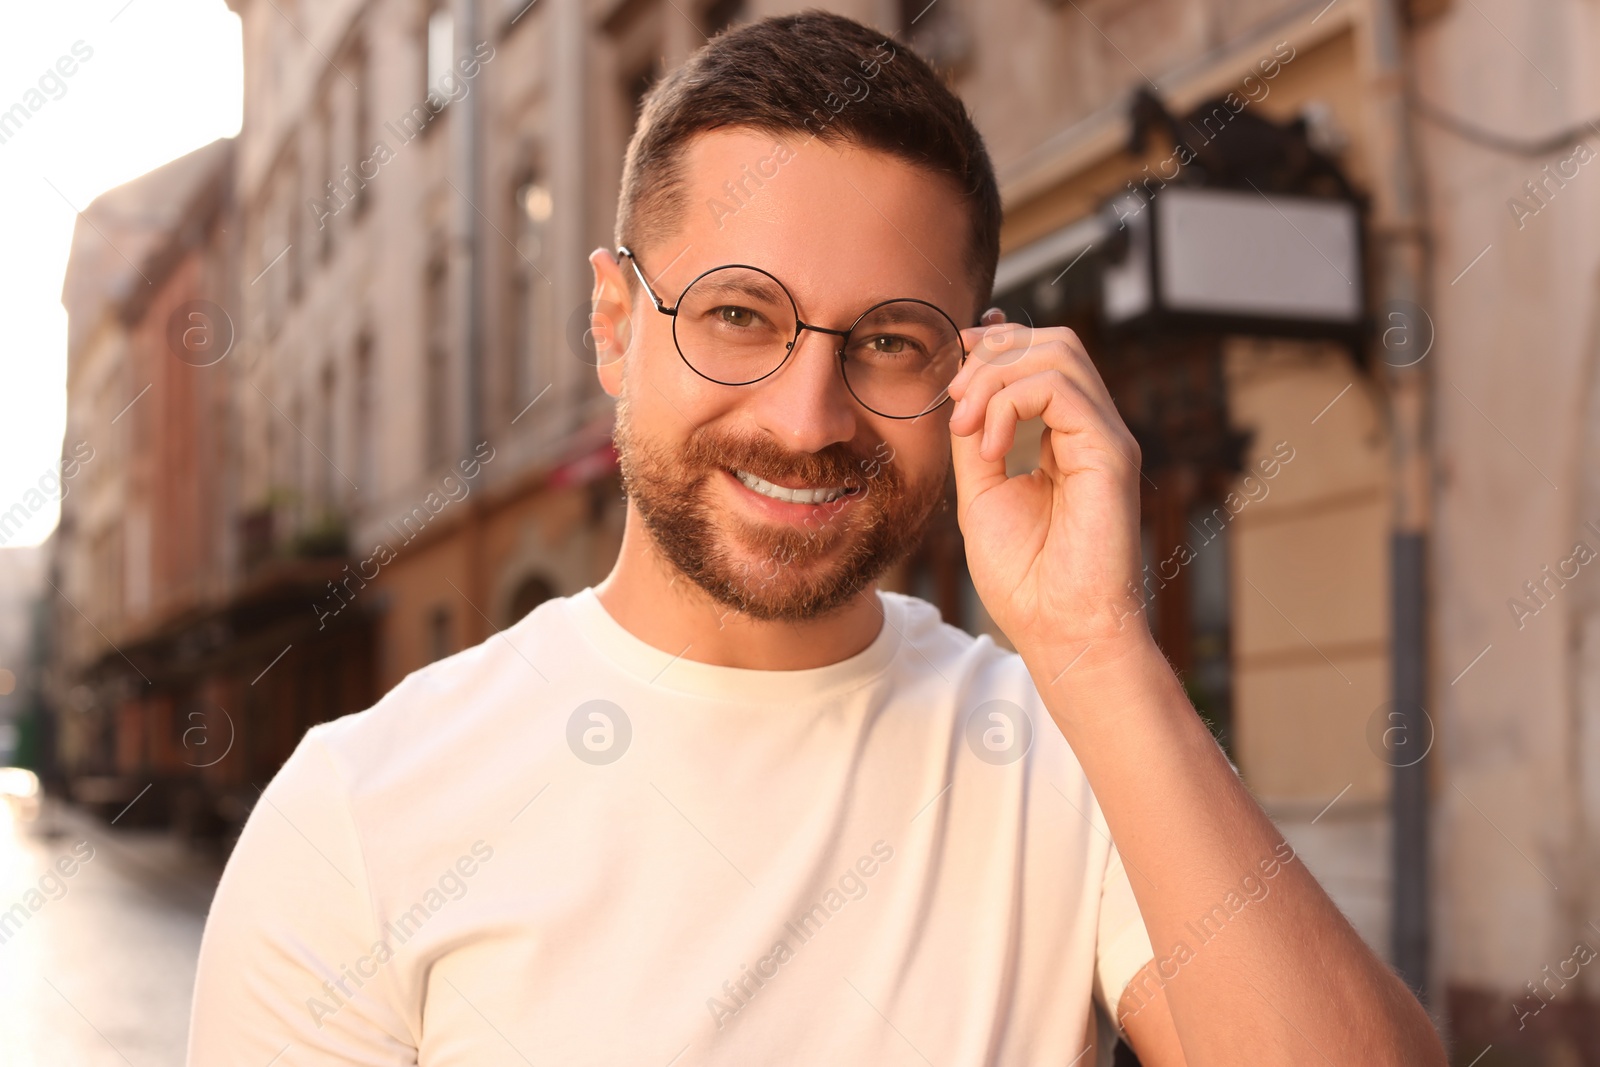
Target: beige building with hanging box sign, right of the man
x=1396 y=628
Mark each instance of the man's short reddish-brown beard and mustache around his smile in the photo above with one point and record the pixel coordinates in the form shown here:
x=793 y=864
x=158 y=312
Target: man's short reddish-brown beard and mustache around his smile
x=775 y=572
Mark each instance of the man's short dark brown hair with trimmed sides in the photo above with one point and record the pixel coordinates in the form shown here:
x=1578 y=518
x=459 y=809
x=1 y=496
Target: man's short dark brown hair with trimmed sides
x=804 y=74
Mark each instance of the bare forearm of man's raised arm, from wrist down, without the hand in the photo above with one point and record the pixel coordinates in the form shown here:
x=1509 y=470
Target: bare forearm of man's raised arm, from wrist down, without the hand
x=1281 y=977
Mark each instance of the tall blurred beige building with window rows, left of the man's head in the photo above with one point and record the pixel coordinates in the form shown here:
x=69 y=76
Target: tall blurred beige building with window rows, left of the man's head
x=410 y=177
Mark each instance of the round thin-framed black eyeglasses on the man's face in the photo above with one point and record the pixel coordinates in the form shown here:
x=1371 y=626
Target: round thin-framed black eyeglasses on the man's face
x=737 y=326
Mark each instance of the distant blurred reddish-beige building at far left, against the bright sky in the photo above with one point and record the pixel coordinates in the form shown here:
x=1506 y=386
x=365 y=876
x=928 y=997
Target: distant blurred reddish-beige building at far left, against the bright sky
x=140 y=548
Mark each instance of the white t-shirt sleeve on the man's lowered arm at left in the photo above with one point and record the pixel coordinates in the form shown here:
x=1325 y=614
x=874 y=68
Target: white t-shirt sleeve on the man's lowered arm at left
x=290 y=921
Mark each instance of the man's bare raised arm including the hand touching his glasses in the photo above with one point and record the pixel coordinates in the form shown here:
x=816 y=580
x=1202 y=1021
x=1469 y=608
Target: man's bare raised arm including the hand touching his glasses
x=1055 y=554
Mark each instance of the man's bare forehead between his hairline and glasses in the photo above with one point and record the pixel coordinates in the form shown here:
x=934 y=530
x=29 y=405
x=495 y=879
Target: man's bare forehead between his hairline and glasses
x=838 y=225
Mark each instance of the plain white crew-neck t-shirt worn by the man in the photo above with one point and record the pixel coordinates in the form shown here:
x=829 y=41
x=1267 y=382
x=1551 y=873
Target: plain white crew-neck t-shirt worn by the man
x=569 y=847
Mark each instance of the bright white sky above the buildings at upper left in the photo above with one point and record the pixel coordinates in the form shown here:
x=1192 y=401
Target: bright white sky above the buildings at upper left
x=166 y=78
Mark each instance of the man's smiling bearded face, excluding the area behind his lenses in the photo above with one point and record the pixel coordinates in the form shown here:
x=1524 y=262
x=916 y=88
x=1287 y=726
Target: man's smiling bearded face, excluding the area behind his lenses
x=705 y=465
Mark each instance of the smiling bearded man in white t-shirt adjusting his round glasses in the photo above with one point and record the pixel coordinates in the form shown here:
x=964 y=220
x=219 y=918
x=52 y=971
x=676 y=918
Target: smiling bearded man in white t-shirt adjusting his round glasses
x=737 y=805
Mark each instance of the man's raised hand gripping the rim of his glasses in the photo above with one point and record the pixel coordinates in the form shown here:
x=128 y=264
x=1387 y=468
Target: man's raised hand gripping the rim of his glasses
x=1055 y=553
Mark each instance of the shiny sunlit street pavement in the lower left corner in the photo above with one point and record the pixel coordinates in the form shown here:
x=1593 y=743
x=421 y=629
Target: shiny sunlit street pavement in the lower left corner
x=100 y=930
